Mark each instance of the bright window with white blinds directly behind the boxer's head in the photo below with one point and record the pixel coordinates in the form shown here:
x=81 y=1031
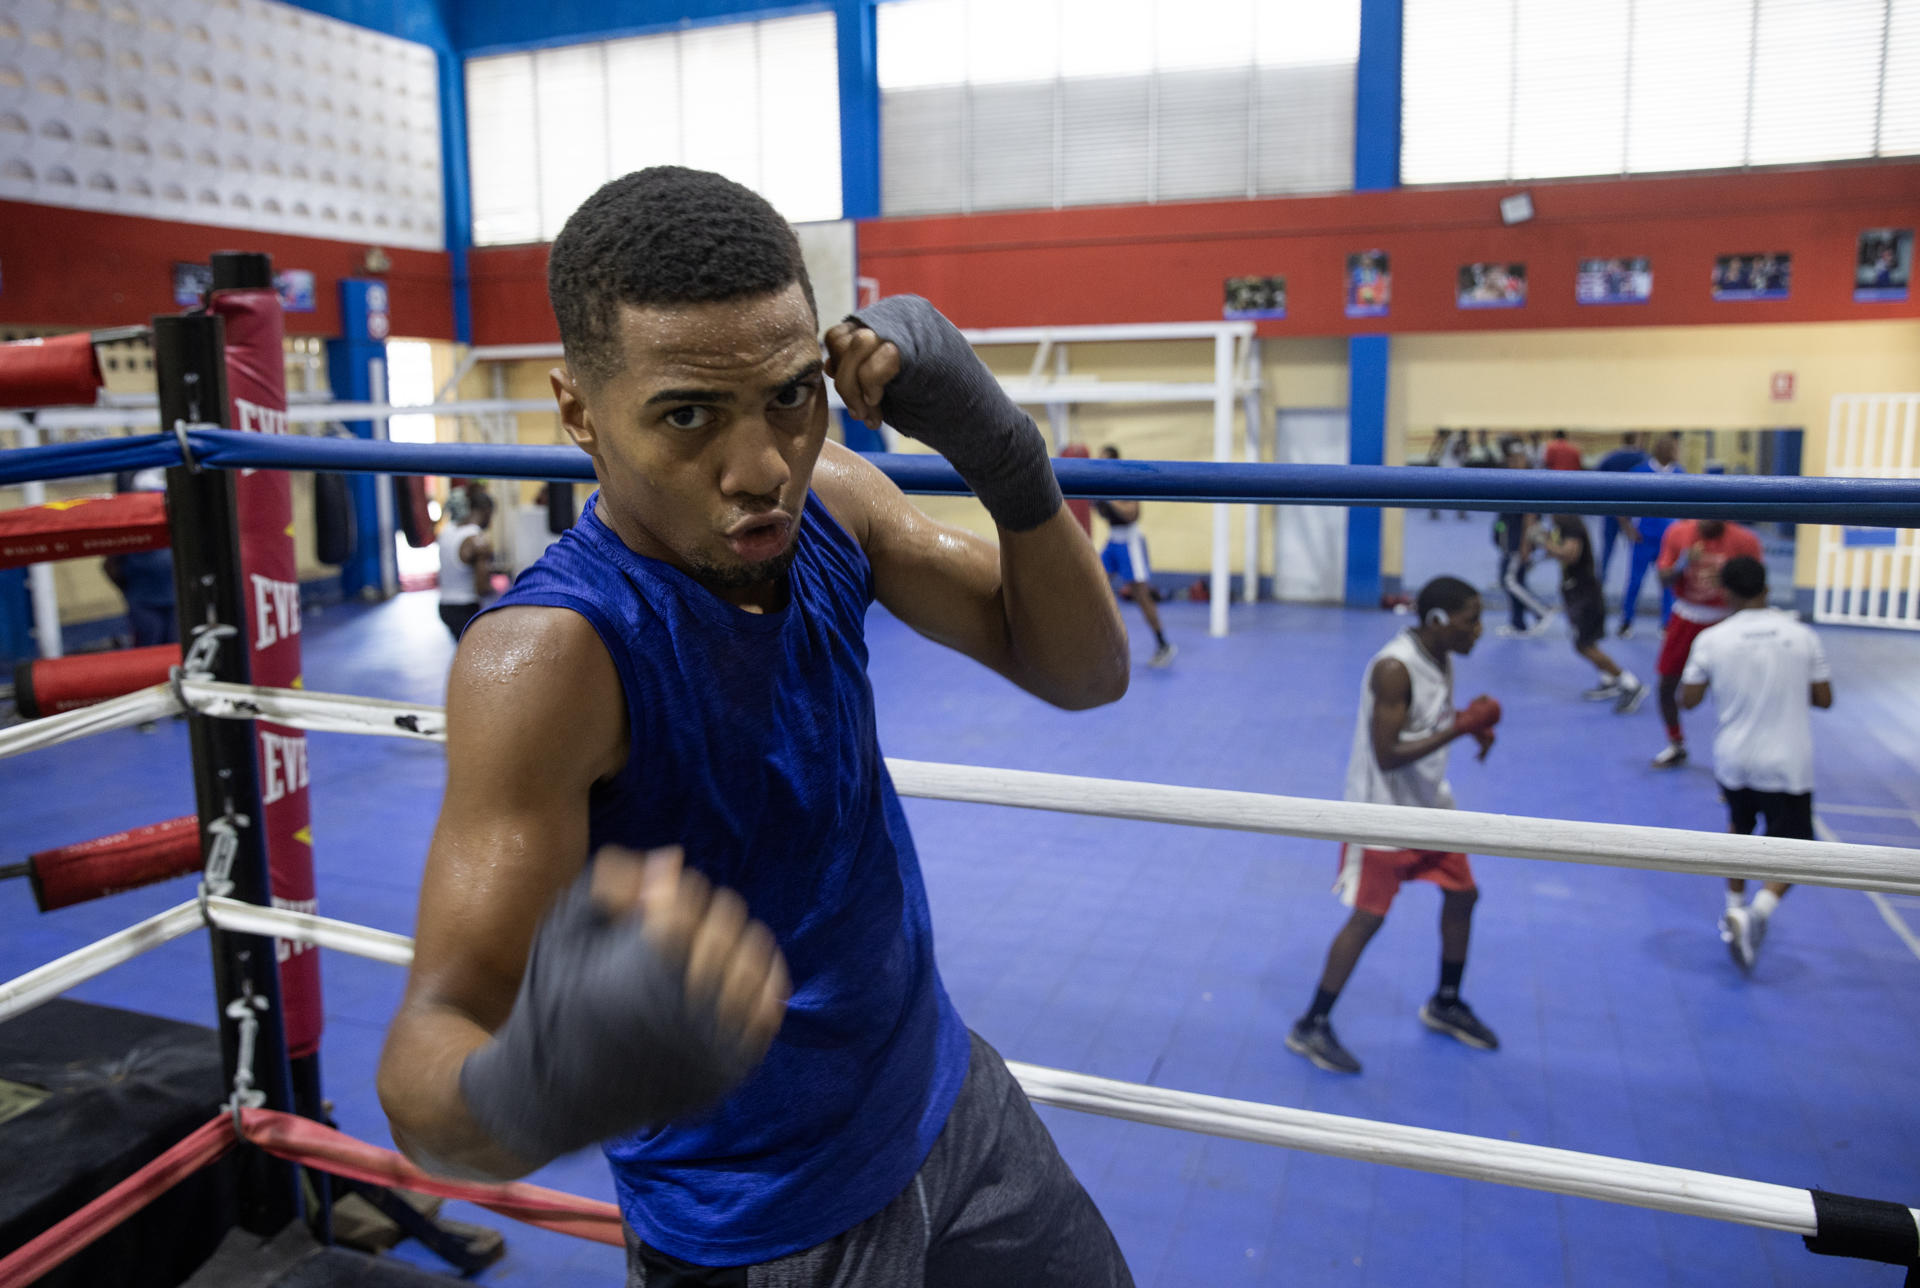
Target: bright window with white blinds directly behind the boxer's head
x=757 y=103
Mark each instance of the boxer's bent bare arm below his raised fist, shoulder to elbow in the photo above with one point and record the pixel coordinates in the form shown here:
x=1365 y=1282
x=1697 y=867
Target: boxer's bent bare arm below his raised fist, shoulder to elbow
x=1038 y=608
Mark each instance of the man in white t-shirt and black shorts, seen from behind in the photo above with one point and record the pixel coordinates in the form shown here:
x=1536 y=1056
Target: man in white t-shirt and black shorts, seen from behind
x=1767 y=671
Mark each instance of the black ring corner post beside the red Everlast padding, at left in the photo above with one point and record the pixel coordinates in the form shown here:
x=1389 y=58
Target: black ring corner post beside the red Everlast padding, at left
x=204 y=521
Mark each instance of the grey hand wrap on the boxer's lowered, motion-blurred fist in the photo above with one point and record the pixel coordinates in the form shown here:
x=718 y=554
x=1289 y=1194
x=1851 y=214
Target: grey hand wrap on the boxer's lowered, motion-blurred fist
x=602 y=1041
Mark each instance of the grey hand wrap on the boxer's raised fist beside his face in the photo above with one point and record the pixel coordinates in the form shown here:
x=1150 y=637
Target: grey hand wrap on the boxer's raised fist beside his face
x=949 y=400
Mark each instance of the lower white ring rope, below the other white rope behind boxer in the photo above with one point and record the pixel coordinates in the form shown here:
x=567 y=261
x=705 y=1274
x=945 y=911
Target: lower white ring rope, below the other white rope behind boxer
x=1451 y=1155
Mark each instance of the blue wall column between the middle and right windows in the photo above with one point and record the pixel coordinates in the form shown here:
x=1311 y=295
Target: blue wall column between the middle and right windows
x=1368 y=358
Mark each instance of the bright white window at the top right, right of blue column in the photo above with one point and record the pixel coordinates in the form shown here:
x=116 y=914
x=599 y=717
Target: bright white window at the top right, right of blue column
x=1533 y=89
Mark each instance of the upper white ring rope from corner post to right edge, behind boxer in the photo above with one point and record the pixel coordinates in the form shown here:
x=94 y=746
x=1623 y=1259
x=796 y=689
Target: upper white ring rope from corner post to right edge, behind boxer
x=1620 y=846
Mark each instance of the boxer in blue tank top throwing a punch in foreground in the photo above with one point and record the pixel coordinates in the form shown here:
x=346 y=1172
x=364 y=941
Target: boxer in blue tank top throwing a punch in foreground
x=673 y=905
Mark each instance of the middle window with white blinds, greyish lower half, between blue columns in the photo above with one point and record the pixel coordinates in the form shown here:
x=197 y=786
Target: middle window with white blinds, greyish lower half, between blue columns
x=1007 y=105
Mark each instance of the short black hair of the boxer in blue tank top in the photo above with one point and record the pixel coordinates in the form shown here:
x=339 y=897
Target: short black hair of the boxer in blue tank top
x=663 y=235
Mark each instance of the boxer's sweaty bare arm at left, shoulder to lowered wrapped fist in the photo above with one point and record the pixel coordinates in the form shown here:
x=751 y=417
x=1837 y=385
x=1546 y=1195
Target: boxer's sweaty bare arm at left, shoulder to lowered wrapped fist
x=535 y=719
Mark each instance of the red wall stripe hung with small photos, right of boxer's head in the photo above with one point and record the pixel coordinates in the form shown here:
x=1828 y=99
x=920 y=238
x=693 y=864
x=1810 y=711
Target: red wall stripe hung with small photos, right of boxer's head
x=1145 y=264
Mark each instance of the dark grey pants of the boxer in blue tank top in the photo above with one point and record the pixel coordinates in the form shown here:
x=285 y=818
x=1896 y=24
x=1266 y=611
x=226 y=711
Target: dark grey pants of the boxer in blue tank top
x=994 y=1206
